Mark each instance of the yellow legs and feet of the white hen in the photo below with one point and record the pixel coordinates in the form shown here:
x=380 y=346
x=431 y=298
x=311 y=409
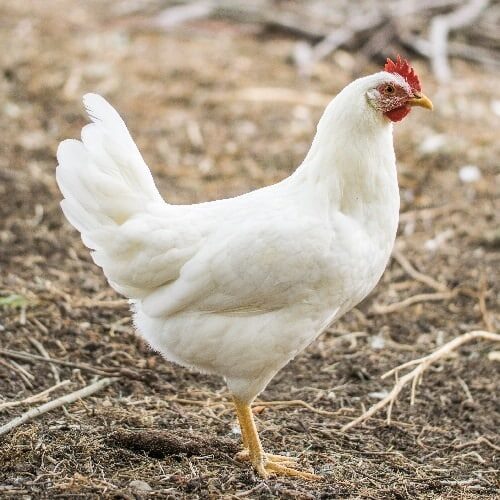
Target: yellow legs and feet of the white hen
x=264 y=463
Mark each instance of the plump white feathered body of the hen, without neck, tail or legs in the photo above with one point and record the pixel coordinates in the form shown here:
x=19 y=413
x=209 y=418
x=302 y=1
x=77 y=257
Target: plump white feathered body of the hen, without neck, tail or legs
x=272 y=270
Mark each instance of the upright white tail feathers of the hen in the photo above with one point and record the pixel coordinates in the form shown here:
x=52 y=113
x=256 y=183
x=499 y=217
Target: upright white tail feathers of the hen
x=103 y=178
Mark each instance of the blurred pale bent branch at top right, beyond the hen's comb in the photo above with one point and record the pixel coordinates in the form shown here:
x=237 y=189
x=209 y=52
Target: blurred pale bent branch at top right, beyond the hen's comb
x=439 y=31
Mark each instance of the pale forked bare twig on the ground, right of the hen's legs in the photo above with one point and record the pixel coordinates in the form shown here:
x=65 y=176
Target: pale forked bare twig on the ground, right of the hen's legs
x=415 y=375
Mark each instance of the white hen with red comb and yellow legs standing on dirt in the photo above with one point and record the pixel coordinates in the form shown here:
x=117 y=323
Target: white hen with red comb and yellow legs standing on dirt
x=238 y=287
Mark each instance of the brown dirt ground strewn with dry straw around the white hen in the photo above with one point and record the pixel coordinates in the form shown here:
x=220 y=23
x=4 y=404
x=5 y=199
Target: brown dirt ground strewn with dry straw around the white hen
x=191 y=103
